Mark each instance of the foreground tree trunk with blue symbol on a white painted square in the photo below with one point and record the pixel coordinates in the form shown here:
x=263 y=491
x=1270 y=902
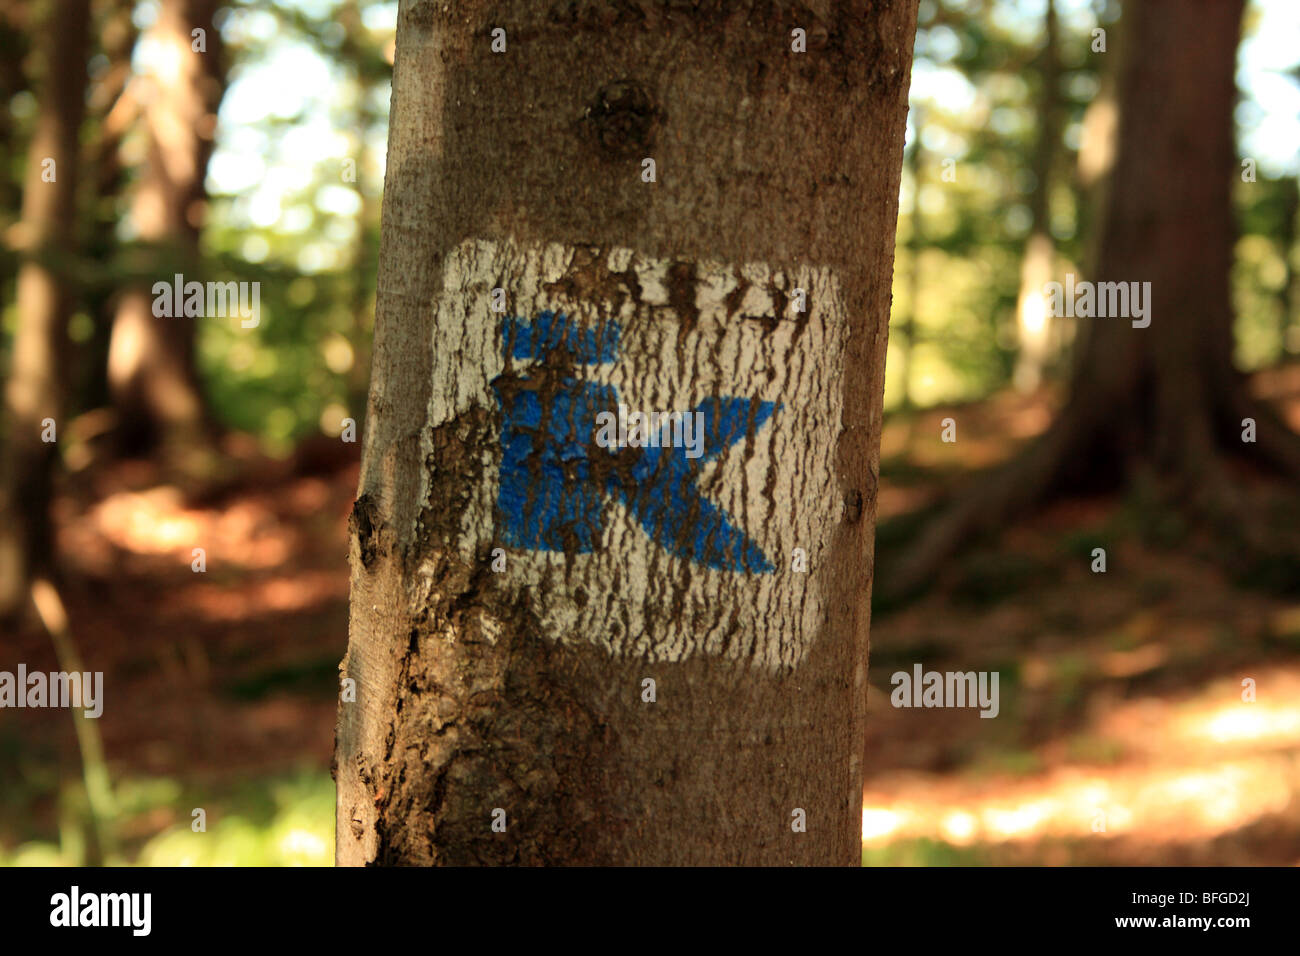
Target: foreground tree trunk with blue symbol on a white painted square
x=517 y=583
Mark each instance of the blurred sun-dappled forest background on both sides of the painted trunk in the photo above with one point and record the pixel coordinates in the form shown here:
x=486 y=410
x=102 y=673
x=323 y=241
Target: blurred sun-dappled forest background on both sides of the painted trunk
x=1123 y=736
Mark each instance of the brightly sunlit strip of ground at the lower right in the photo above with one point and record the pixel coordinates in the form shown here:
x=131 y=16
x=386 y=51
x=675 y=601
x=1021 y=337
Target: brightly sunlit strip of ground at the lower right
x=1193 y=769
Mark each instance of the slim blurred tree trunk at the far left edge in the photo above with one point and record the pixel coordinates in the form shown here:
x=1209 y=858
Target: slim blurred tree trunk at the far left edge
x=34 y=391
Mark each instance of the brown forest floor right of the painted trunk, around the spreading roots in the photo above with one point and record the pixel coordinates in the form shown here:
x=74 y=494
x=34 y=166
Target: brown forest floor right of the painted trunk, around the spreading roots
x=1124 y=737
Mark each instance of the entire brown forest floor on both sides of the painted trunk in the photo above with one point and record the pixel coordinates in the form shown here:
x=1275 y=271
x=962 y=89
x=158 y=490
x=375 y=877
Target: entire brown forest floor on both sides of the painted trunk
x=1123 y=736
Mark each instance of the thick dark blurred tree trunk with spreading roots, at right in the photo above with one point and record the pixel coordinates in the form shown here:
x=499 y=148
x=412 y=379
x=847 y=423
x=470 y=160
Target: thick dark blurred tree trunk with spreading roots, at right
x=1164 y=399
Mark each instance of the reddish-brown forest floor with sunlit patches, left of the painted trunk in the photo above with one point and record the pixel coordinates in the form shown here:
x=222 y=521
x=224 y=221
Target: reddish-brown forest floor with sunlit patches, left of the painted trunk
x=215 y=677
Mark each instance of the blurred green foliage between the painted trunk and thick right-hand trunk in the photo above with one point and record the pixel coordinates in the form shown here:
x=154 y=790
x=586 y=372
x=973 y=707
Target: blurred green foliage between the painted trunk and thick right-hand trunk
x=976 y=98
